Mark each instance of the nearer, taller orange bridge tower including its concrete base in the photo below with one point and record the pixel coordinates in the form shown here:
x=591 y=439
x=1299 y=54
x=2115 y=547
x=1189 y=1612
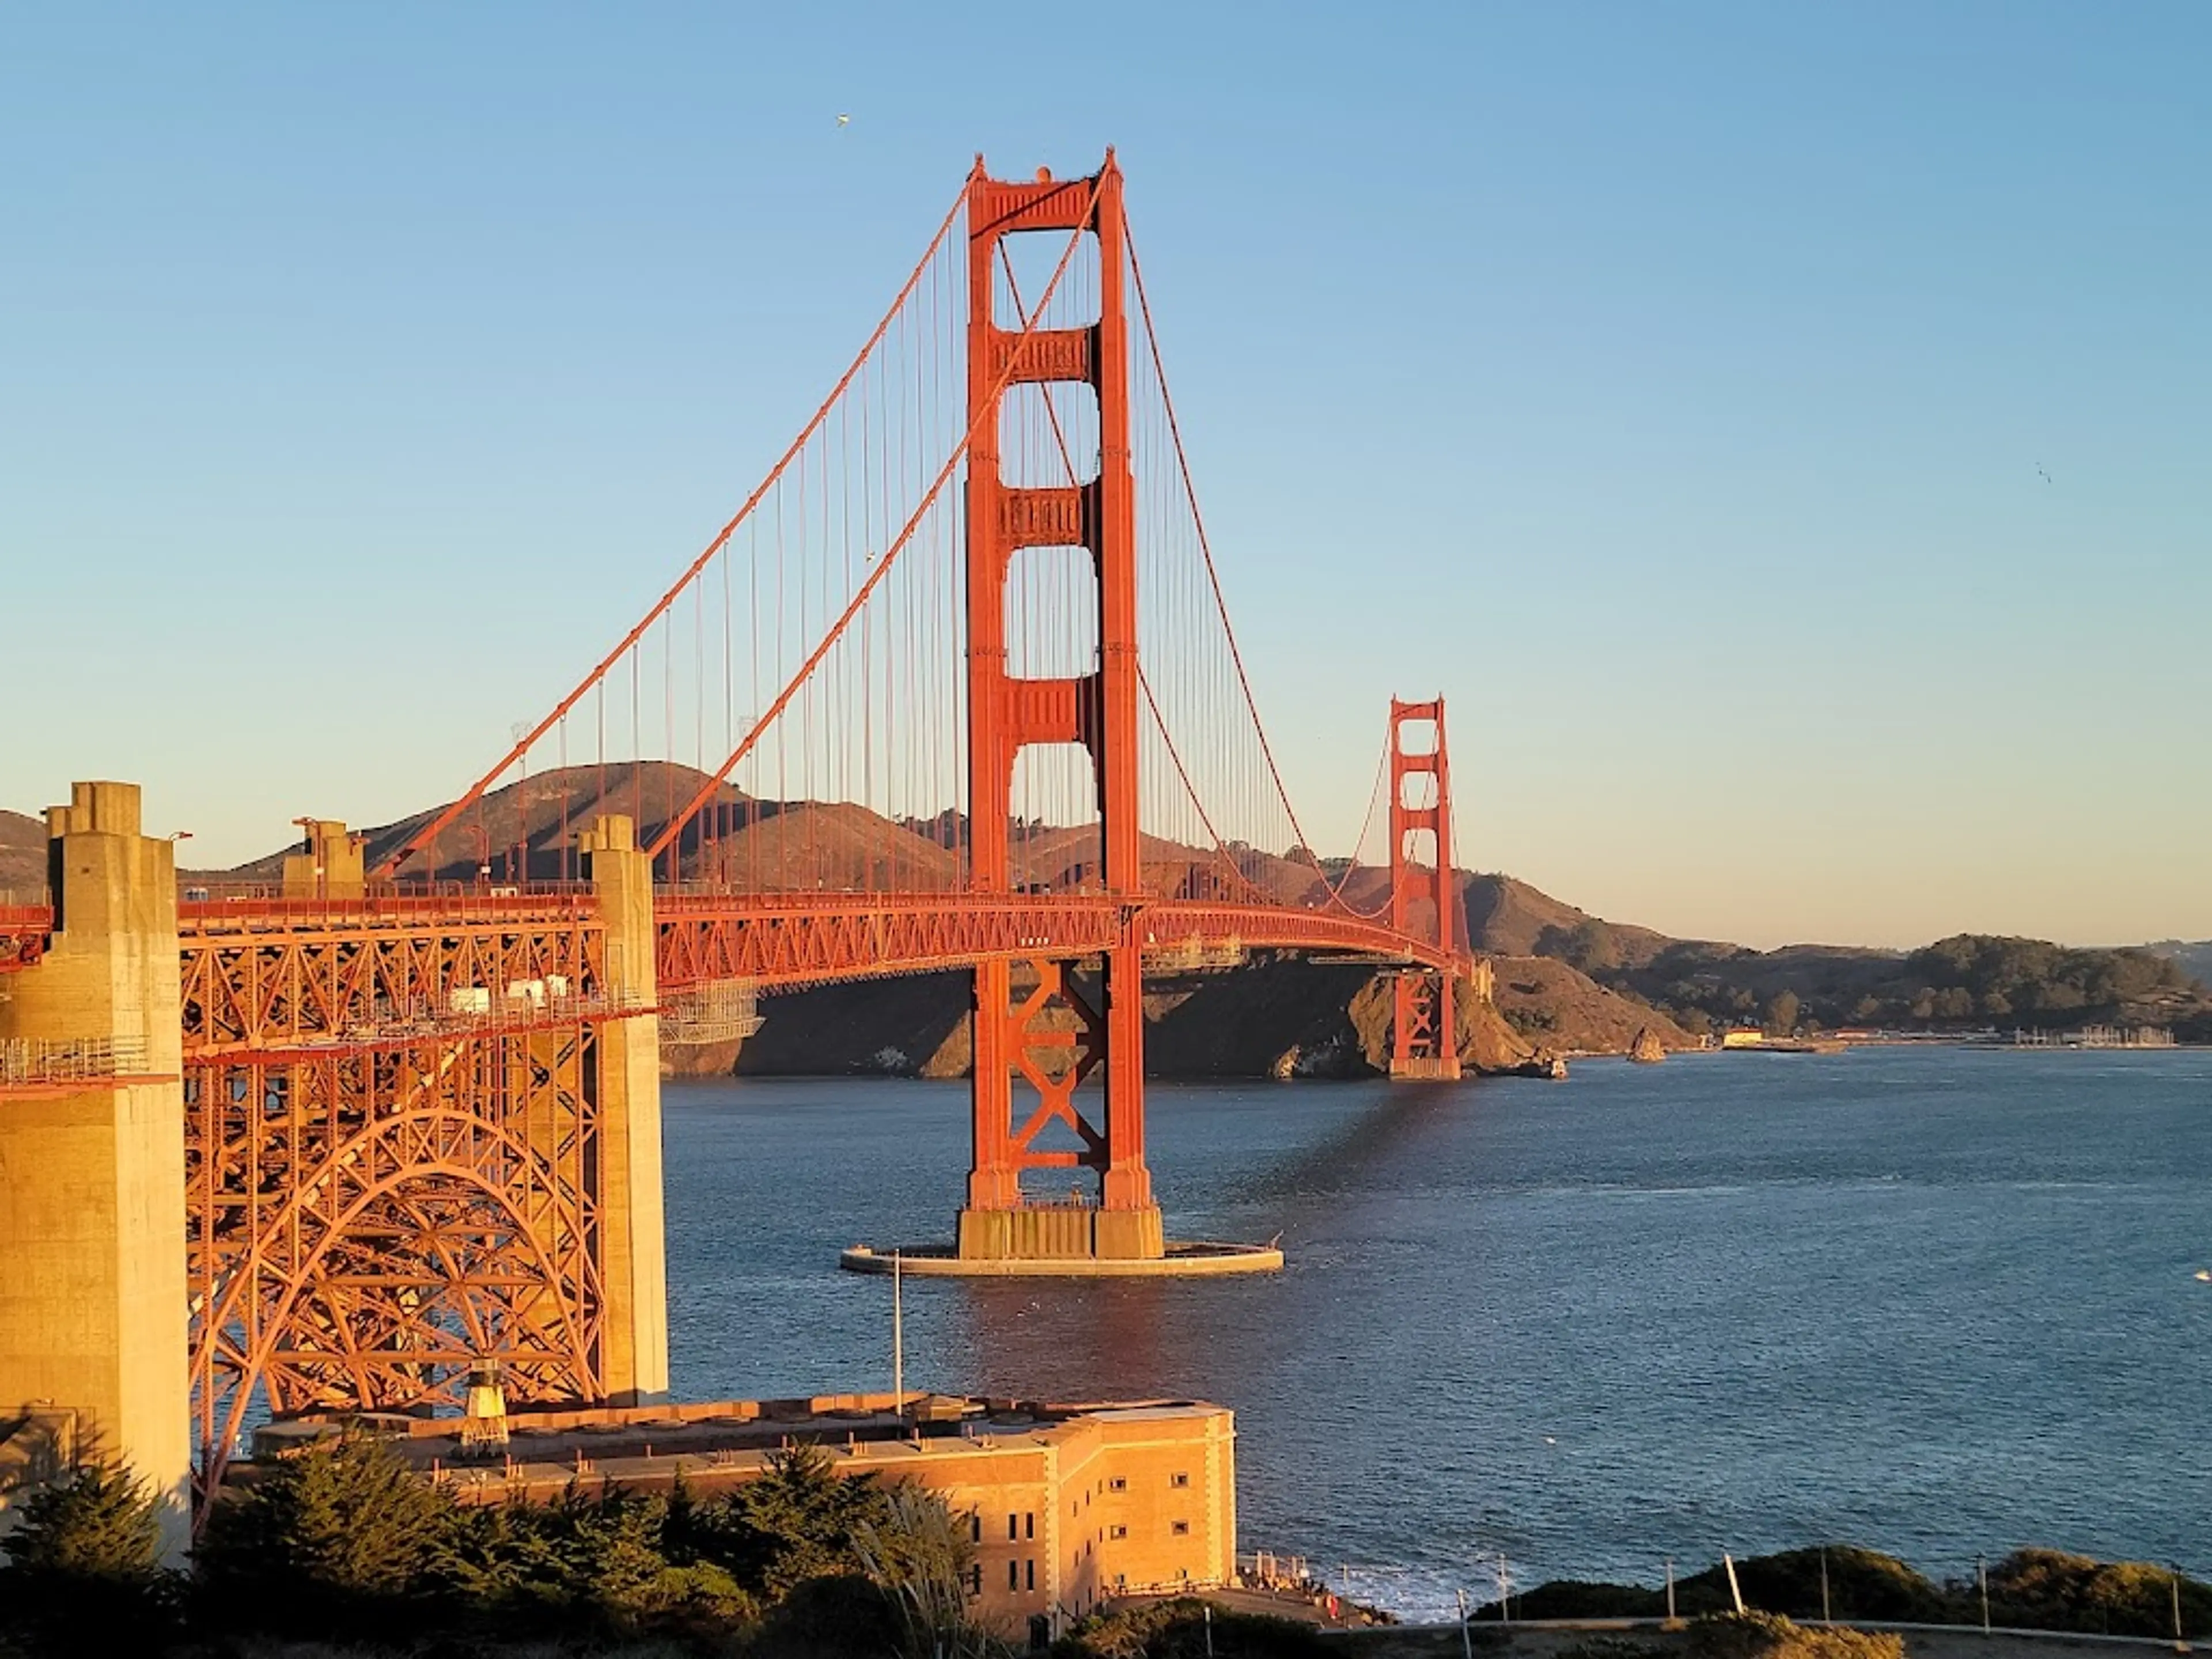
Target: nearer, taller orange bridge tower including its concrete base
x=1030 y=1032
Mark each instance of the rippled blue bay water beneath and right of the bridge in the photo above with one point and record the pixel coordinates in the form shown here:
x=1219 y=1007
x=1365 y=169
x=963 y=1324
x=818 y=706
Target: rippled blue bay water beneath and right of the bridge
x=1937 y=1302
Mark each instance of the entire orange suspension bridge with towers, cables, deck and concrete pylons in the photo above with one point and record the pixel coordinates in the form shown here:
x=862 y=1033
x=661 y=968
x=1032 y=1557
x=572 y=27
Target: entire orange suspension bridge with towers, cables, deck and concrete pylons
x=954 y=689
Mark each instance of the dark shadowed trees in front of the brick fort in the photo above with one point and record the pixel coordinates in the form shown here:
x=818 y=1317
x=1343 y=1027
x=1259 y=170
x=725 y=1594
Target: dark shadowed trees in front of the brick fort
x=348 y=1541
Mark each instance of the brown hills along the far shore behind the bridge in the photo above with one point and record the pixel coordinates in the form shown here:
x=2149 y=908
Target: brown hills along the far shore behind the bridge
x=1567 y=981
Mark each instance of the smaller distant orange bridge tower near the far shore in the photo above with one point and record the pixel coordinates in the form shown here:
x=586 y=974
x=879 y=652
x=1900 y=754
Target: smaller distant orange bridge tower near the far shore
x=1423 y=890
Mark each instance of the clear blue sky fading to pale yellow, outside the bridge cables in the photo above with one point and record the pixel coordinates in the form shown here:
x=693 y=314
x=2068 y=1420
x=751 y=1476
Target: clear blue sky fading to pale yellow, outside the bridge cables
x=1671 y=386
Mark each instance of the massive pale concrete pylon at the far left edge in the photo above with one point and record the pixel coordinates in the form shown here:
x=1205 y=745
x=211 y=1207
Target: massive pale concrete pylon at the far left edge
x=94 y=1359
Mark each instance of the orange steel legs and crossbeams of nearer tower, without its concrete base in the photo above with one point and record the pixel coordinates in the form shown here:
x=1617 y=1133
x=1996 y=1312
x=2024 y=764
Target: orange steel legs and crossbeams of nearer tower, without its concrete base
x=1096 y=711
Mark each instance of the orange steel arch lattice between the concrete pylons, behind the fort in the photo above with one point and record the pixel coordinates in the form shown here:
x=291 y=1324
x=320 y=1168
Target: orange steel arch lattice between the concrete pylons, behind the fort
x=393 y=1158
